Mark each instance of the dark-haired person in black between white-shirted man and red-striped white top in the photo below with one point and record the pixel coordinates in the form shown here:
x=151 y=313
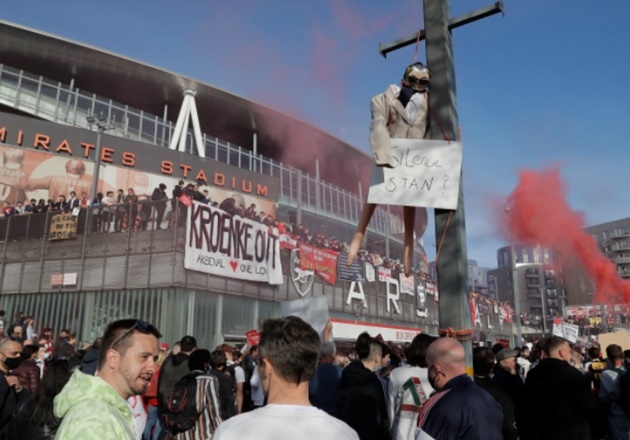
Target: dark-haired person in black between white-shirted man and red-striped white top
x=361 y=395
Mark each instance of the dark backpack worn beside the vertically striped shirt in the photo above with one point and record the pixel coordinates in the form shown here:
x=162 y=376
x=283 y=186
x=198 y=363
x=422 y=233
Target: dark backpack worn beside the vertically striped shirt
x=180 y=410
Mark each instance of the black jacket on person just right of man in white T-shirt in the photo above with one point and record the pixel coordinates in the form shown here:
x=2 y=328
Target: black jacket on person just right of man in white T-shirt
x=362 y=402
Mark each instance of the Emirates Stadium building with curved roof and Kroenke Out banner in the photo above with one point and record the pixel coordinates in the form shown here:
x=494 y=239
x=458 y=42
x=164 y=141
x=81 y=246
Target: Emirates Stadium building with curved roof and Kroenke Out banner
x=79 y=271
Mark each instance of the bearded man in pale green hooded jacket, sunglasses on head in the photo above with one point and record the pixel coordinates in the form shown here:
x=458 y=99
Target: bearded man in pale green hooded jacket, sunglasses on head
x=95 y=407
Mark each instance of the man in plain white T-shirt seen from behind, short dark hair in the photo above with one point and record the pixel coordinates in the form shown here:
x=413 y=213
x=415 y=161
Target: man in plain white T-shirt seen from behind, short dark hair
x=288 y=355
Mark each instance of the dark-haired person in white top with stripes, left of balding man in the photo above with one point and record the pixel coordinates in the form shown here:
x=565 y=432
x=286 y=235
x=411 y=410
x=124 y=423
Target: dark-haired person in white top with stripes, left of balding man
x=409 y=388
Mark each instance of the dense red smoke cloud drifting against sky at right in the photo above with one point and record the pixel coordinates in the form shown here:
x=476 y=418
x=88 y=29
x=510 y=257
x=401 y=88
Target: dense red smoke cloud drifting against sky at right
x=539 y=214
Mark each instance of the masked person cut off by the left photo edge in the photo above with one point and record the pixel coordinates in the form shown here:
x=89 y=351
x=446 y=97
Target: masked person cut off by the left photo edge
x=11 y=391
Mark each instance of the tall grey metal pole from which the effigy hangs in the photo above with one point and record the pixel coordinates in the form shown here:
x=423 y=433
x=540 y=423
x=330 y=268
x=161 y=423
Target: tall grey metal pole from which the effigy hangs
x=452 y=261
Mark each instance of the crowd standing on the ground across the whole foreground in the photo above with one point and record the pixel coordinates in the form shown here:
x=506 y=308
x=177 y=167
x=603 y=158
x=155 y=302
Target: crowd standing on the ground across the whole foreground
x=294 y=384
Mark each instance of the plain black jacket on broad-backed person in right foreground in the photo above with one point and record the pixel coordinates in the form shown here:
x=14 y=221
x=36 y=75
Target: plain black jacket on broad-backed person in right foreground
x=558 y=398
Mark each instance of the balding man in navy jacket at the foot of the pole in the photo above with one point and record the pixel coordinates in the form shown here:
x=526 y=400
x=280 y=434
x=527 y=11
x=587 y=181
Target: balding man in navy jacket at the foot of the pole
x=460 y=409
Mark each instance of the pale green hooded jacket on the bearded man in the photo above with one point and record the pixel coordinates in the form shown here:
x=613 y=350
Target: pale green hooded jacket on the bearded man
x=92 y=409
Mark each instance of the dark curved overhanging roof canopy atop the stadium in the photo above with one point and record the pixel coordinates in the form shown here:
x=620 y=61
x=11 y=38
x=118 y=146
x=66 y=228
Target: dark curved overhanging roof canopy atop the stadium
x=150 y=88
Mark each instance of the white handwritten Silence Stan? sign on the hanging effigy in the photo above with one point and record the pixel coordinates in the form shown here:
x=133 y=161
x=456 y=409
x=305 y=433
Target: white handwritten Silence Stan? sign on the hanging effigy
x=425 y=173
